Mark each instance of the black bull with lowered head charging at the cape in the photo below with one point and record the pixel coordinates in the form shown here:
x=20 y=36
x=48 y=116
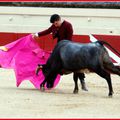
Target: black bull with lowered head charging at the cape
x=68 y=57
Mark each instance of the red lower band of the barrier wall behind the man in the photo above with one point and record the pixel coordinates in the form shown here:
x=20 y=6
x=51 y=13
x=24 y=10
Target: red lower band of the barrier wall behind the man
x=47 y=43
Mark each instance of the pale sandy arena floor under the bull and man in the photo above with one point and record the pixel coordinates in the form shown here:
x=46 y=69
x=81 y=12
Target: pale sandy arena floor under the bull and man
x=28 y=102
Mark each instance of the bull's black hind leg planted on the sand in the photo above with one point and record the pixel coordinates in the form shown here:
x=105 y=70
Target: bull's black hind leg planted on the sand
x=106 y=75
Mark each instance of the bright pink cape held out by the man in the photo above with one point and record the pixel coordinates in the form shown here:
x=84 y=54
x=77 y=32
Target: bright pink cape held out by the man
x=23 y=56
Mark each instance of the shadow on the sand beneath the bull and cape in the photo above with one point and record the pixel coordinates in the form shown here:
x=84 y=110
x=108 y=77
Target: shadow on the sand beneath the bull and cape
x=61 y=92
